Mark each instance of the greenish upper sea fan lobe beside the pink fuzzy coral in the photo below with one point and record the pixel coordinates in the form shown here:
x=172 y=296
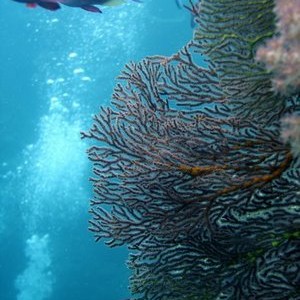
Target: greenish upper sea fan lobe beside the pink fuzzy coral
x=229 y=34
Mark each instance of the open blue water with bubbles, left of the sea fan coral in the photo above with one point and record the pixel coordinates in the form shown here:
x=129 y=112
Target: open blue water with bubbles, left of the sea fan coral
x=56 y=70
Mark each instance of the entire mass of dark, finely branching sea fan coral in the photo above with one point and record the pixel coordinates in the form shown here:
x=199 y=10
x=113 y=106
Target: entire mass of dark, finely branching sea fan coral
x=193 y=165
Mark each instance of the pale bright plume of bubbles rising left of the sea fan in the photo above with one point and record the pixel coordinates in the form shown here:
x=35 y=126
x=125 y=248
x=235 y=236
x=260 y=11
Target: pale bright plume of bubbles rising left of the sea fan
x=75 y=69
